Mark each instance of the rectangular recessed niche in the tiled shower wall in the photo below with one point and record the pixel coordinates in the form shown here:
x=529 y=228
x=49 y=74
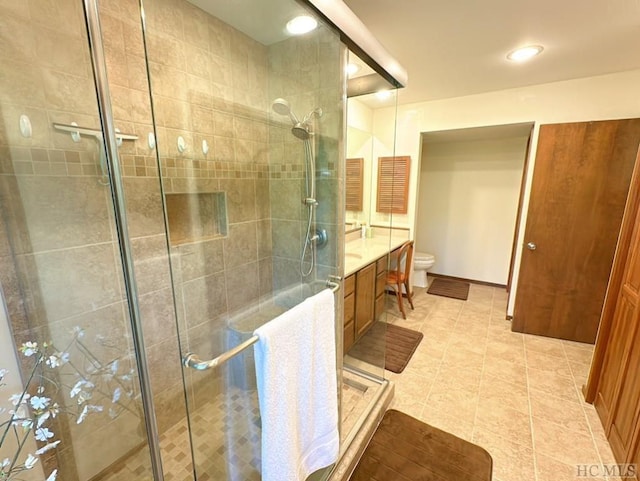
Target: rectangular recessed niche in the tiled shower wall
x=196 y=216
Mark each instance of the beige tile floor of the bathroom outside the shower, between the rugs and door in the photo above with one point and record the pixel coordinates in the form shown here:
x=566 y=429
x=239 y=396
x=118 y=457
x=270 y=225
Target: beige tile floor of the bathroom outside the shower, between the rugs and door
x=517 y=395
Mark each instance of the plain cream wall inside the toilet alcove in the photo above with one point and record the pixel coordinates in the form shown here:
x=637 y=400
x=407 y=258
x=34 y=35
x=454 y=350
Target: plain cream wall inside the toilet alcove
x=467 y=206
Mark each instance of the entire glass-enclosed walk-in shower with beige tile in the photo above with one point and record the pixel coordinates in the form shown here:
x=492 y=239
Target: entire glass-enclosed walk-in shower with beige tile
x=184 y=237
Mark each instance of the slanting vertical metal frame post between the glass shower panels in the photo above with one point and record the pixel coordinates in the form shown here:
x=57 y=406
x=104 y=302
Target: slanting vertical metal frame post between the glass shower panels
x=117 y=192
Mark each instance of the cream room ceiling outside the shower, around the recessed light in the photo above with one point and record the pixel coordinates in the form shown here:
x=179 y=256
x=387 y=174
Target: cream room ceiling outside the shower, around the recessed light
x=458 y=47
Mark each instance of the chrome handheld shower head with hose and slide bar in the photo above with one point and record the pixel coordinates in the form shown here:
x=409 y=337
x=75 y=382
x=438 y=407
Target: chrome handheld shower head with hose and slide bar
x=303 y=130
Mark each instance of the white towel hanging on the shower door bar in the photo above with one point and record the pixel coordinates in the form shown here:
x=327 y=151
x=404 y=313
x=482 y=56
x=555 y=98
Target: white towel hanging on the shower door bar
x=297 y=390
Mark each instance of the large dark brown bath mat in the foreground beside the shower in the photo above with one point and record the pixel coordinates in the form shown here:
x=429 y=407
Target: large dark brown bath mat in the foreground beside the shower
x=405 y=449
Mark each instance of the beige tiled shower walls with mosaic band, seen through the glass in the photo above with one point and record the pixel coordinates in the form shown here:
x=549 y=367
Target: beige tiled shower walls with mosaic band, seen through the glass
x=59 y=259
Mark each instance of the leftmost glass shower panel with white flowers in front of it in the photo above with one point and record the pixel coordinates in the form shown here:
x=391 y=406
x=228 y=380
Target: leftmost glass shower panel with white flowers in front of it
x=70 y=391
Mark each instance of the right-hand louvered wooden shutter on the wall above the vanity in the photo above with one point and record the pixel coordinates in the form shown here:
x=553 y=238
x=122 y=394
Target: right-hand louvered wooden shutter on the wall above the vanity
x=393 y=184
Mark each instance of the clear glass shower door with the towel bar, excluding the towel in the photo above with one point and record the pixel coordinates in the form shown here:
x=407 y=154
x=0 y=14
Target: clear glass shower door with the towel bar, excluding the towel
x=247 y=122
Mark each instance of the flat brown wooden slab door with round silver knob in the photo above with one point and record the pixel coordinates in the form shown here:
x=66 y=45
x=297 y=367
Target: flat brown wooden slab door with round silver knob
x=580 y=184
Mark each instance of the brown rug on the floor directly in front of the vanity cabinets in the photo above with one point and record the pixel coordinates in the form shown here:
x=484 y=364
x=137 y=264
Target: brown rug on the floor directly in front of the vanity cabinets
x=397 y=345
